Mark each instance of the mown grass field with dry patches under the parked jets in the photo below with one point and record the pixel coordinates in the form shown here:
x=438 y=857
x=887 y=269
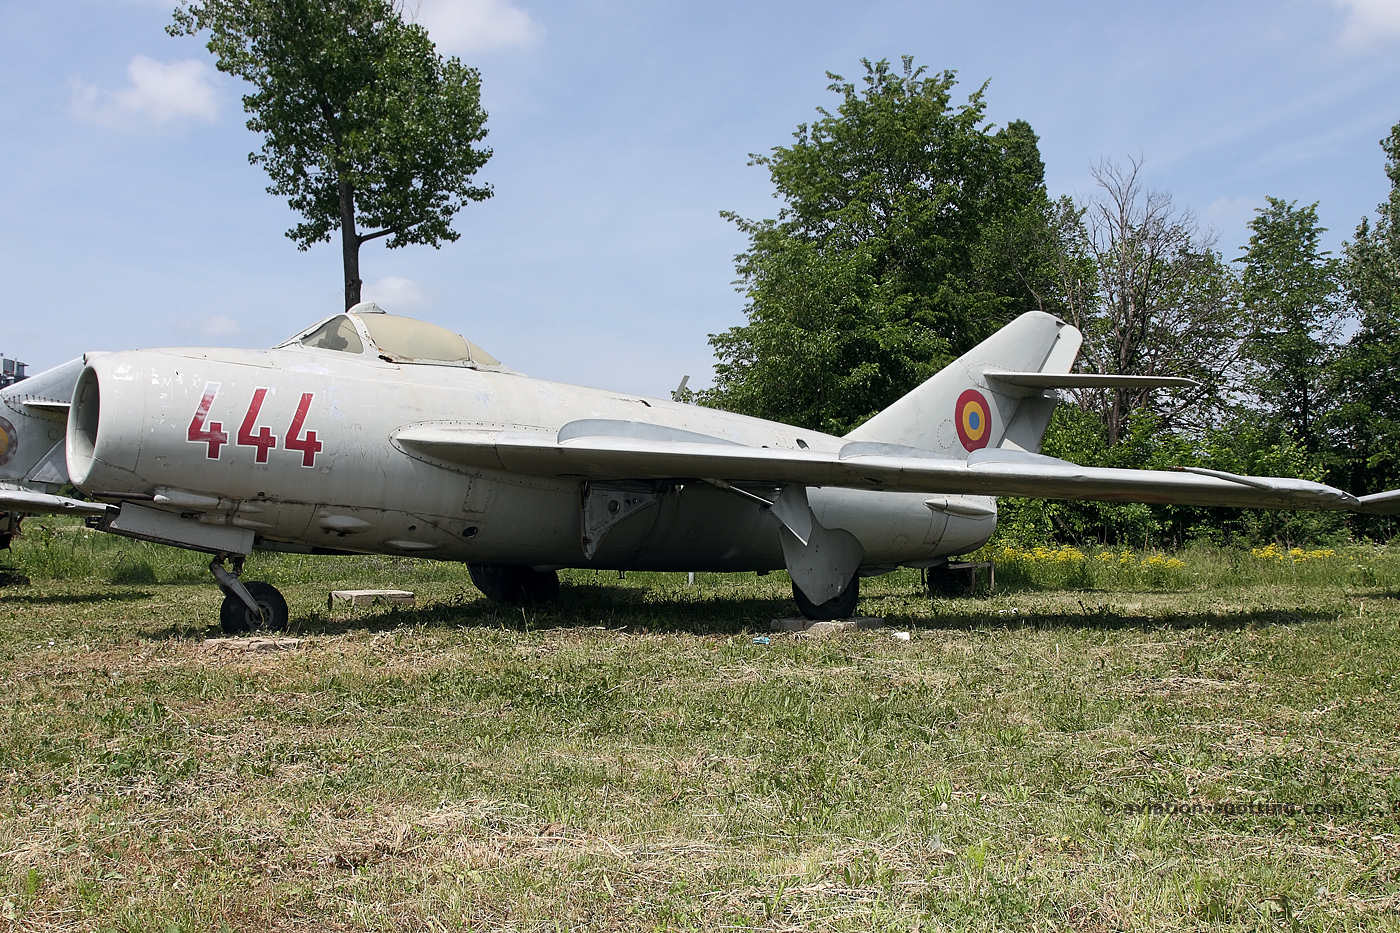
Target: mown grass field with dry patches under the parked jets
x=632 y=759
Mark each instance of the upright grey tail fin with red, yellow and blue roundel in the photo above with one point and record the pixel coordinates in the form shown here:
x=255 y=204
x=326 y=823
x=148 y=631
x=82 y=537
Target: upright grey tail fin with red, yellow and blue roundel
x=961 y=410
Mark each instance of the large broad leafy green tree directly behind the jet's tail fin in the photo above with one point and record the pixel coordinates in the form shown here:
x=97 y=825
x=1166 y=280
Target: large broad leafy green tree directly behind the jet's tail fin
x=911 y=230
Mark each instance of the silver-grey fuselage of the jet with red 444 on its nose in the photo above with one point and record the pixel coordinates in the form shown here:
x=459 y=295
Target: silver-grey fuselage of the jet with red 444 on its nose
x=297 y=445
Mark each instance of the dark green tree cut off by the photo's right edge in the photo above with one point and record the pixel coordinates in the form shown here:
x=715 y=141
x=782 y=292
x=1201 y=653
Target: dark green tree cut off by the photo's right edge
x=1368 y=420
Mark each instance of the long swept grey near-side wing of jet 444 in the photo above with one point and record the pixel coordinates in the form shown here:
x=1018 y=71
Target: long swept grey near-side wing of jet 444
x=604 y=450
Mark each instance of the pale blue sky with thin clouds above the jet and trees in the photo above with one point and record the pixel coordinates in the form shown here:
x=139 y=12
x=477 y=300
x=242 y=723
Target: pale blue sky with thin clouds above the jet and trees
x=129 y=215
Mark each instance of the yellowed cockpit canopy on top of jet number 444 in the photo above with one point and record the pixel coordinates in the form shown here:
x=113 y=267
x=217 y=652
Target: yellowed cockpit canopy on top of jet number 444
x=367 y=330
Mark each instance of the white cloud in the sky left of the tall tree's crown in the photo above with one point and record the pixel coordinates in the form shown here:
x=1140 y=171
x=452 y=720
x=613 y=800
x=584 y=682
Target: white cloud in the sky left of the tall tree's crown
x=157 y=93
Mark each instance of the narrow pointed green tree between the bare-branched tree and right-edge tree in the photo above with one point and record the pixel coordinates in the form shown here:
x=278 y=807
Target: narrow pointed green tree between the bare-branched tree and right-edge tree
x=1293 y=299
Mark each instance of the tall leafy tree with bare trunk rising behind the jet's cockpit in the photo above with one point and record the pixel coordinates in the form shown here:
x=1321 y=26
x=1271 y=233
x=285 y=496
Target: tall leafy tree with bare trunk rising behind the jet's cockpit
x=366 y=128
